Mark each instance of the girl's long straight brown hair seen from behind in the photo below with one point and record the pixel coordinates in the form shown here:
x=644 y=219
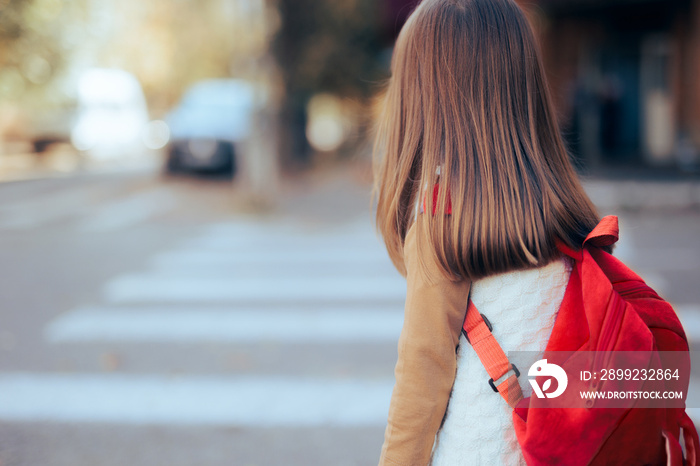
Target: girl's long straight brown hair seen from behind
x=468 y=109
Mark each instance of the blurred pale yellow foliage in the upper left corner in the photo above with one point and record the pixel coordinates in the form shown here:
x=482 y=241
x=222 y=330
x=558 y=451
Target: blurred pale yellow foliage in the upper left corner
x=46 y=44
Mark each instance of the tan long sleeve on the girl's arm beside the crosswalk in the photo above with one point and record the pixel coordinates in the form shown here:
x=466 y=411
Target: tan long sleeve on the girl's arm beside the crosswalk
x=425 y=371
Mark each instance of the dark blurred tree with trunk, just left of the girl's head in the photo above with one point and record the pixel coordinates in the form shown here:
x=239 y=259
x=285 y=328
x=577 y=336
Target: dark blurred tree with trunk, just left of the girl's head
x=338 y=47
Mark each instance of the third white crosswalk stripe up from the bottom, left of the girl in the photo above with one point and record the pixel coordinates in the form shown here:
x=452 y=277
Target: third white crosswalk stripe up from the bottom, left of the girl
x=148 y=288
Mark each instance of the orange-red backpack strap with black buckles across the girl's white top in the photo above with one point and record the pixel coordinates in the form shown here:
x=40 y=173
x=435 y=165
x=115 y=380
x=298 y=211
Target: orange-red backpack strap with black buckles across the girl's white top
x=504 y=375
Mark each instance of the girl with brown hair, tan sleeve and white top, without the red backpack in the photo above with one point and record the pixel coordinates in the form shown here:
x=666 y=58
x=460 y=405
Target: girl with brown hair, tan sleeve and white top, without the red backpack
x=474 y=188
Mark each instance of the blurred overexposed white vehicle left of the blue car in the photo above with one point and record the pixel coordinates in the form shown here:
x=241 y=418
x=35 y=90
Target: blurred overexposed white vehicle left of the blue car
x=112 y=114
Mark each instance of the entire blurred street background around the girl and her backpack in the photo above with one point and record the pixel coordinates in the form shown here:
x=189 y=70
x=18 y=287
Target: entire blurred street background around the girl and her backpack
x=188 y=269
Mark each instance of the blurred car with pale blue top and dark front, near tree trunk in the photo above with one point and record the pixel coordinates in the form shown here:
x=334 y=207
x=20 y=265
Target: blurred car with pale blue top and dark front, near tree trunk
x=212 y=118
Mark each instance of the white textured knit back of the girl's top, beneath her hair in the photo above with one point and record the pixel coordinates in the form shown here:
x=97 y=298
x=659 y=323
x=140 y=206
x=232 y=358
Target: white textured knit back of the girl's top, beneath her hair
x=522 y=306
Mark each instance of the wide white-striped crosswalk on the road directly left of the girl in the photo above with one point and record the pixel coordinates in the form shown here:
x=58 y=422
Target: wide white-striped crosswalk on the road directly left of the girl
x=238 y=283
